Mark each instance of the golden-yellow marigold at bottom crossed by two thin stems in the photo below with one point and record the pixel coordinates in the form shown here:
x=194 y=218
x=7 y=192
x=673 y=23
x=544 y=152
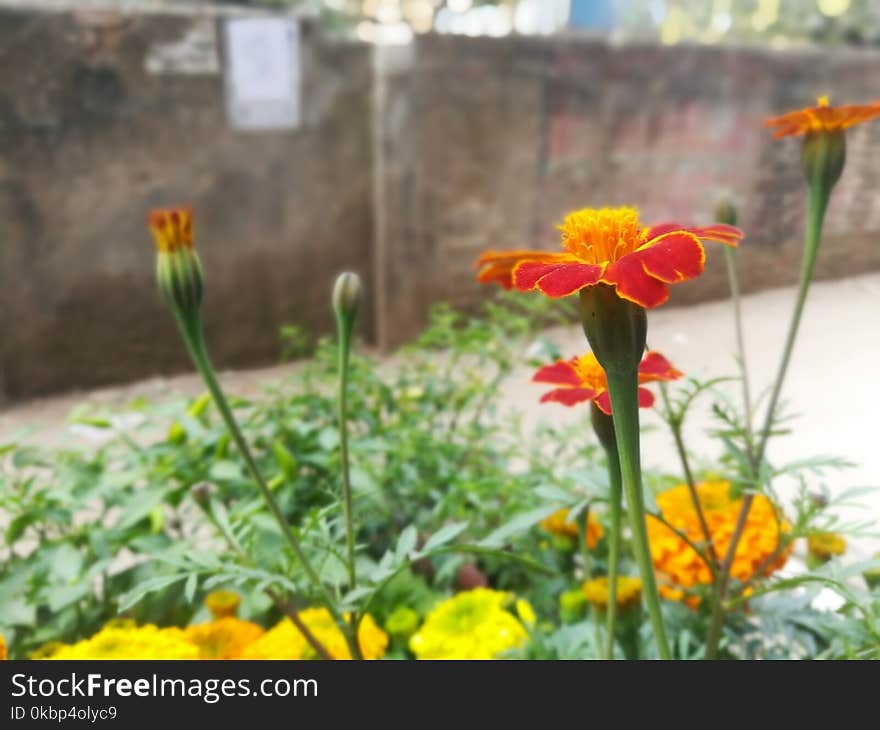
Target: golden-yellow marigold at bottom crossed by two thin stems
x=284 y=640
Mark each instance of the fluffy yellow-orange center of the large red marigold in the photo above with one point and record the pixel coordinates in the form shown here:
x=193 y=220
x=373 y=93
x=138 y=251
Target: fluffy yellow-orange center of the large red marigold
x=600 y=236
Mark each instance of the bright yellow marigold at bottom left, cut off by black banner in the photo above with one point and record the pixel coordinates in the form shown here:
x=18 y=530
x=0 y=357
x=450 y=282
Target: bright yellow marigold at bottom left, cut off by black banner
x=138 y=642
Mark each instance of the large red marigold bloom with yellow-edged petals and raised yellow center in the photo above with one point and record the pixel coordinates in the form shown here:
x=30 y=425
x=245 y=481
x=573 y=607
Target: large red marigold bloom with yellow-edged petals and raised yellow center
x=609 y=246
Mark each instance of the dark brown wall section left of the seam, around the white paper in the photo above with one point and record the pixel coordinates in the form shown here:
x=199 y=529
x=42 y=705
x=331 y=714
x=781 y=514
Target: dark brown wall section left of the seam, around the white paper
x=90 y=140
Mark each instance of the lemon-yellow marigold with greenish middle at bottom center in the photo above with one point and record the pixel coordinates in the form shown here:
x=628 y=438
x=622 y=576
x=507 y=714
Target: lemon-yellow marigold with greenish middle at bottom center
x=474 y=624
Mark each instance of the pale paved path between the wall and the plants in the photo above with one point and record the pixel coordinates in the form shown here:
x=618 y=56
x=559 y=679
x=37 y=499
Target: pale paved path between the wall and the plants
x=832 y=381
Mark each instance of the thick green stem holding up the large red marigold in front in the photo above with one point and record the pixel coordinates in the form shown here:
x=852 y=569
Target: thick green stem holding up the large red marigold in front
x=623 y=389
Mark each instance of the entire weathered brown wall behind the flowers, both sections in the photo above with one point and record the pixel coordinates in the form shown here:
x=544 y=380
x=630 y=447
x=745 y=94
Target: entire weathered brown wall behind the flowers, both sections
x=408 y=163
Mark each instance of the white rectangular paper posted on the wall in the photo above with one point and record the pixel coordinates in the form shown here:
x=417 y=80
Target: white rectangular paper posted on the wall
x=262 y=73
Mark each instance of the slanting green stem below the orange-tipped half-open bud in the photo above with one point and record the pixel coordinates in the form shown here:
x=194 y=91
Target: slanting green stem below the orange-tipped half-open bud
x=191 y=329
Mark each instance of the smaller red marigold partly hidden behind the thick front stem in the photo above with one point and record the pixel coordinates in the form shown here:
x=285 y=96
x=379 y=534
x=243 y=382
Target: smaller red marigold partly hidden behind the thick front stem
x=583 y=379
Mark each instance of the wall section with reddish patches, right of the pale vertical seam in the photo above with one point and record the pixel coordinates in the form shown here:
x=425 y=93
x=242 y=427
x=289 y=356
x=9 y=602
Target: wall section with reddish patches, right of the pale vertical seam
x=503 y=137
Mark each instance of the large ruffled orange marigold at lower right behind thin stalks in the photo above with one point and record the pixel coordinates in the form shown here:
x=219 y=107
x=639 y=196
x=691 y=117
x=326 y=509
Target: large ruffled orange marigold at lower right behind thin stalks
x=680 y=567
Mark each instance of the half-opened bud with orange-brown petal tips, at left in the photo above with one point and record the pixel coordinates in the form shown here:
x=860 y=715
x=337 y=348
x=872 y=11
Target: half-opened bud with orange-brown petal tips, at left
x=178 y=270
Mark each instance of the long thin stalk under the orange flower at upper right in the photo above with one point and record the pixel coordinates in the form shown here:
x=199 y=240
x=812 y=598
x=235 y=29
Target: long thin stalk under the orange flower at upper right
x=817 y=204
